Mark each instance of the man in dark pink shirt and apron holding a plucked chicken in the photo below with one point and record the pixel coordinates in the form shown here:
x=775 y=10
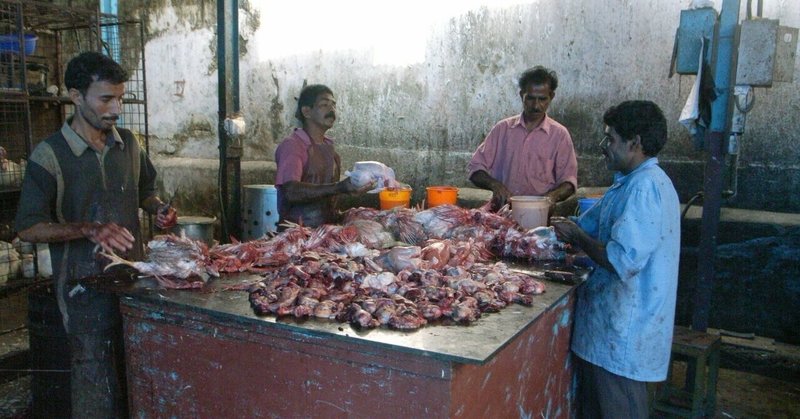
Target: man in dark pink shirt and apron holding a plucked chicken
x=308 y=165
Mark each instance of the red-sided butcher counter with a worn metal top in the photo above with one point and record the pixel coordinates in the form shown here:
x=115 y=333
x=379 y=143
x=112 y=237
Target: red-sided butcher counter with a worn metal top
x=204 y=353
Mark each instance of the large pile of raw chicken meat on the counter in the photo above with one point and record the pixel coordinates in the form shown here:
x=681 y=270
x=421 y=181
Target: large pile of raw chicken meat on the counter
x=400 y=268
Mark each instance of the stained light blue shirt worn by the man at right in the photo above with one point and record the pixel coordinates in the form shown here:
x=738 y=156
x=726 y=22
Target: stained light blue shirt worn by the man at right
x=624 y=319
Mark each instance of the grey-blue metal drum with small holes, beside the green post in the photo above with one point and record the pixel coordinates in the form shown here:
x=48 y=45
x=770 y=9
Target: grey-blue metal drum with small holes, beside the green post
x=259 y=211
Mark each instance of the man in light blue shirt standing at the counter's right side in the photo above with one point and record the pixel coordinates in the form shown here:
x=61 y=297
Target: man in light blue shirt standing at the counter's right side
x=625 y=311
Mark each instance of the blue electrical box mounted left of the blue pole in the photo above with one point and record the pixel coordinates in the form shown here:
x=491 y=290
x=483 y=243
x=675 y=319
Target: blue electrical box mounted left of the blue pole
x=696 y=28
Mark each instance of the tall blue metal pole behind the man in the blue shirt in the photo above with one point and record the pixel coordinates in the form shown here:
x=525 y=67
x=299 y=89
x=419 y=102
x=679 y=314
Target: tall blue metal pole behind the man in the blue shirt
x=724 y=69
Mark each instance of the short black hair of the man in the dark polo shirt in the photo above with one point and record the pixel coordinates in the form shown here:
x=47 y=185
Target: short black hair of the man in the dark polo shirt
x=89 y=67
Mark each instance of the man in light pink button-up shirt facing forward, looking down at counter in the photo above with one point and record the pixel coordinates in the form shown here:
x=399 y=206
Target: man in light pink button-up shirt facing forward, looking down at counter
x=530 y=153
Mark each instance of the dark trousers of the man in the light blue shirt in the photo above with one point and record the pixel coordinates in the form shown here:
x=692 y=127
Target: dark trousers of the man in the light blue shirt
x=601 y=394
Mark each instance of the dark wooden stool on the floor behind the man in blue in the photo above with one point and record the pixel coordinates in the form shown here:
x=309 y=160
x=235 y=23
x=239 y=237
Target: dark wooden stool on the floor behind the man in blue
x=698 y=397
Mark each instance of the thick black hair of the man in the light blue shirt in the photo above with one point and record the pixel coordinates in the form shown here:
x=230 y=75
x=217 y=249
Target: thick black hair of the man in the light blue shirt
x=639 y=117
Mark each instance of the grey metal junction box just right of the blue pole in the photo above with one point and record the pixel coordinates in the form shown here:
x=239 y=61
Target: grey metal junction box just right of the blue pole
x=757 y=43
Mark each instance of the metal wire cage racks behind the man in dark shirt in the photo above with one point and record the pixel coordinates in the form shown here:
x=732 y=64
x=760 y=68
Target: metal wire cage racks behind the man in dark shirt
x=37 y=40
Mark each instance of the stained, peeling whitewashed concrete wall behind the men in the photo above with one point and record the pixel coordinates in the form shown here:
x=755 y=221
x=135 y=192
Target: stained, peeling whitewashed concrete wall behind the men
x=425 y=119
